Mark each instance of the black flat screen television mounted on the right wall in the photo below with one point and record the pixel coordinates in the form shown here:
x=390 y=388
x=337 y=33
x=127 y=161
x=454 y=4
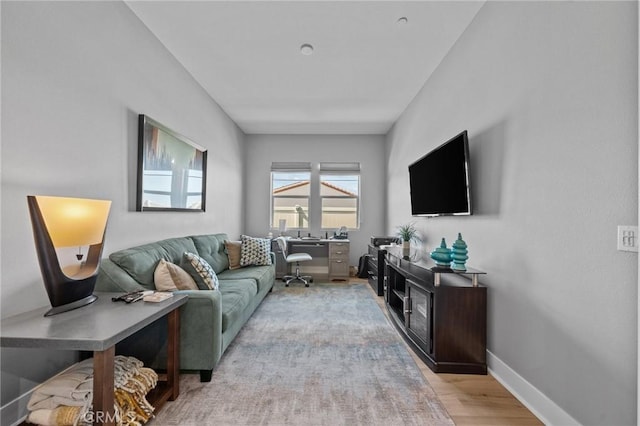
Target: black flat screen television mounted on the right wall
x=439 y=181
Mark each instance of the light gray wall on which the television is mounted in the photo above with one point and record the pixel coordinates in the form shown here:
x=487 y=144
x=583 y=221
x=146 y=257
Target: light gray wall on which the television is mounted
x=549 y=94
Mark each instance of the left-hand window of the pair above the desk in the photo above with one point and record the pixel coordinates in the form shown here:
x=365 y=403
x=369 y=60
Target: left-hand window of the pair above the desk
x=290 y=193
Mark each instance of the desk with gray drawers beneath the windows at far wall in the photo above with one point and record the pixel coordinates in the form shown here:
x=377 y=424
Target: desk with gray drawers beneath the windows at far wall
x=332 y=255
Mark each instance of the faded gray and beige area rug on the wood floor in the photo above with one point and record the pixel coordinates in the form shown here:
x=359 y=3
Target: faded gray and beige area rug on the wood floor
x=323 y=355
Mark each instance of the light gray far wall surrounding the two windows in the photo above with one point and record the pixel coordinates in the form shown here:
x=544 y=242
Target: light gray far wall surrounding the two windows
x=262 y=150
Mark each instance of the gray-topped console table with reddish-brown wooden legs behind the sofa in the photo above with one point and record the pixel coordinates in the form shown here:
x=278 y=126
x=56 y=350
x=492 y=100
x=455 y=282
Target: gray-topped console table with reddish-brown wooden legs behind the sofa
x=98 y=327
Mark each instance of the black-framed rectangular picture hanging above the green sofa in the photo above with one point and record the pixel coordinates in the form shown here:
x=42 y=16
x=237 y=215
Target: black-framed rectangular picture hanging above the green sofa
x=172 y=170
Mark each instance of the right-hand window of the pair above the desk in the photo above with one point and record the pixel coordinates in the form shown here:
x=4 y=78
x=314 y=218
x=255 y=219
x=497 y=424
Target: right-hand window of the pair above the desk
x=340 y=195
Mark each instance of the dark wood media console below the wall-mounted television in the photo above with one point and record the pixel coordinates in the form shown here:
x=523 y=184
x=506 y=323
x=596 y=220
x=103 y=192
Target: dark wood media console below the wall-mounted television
x=440 y=313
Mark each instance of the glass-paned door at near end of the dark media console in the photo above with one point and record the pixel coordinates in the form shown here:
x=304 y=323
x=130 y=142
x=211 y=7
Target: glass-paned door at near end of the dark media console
x=420 y=316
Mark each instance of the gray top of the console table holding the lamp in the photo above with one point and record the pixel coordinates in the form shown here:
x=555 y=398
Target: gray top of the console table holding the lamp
x=95 y=327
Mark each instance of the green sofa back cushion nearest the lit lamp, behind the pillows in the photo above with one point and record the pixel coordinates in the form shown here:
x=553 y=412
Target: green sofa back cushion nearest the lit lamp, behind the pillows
x=140 y=262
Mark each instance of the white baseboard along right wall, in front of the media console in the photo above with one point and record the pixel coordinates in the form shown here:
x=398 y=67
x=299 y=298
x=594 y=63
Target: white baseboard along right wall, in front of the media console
x=540 y=405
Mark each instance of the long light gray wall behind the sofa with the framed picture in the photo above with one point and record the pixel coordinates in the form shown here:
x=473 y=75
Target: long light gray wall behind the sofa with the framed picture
x=75 y=75
